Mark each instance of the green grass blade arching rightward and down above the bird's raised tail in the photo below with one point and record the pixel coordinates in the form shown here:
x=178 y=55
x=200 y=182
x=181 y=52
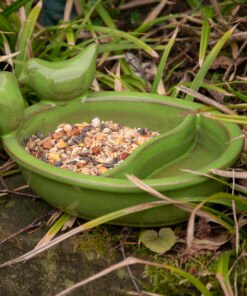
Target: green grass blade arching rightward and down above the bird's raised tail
x=127 y=36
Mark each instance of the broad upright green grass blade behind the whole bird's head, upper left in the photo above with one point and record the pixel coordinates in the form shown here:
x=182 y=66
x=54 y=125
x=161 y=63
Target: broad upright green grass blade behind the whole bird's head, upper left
x=25 y=37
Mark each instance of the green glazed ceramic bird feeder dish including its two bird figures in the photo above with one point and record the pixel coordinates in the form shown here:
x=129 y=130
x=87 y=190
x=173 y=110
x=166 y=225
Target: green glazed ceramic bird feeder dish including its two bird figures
x=189 y=142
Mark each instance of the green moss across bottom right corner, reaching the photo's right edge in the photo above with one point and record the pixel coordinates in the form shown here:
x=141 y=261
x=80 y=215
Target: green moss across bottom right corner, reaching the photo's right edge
x=203 y=267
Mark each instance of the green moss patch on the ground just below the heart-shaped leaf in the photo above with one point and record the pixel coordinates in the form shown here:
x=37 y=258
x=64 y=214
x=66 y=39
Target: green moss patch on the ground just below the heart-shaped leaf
x=164 y=282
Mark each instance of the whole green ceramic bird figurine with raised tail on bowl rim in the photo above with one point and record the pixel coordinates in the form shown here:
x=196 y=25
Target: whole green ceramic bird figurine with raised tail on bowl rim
x=60 y=81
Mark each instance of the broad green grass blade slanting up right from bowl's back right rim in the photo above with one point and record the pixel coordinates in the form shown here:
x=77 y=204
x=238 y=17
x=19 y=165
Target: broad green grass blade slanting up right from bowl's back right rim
x=198 y=80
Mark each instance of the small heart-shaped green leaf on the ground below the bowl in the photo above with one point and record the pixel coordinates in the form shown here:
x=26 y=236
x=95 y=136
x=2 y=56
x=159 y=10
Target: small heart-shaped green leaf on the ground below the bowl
x=158 y=242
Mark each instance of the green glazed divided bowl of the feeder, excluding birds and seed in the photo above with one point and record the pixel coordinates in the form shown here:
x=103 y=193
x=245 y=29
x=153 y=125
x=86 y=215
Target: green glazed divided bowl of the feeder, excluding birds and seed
x=186 y=142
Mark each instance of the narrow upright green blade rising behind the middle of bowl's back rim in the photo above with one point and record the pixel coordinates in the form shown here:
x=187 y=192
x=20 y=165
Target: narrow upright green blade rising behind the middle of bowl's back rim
x=161 y=67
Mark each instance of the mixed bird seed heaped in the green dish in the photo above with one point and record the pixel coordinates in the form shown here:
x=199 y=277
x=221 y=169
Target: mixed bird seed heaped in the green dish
x=88 y=148
